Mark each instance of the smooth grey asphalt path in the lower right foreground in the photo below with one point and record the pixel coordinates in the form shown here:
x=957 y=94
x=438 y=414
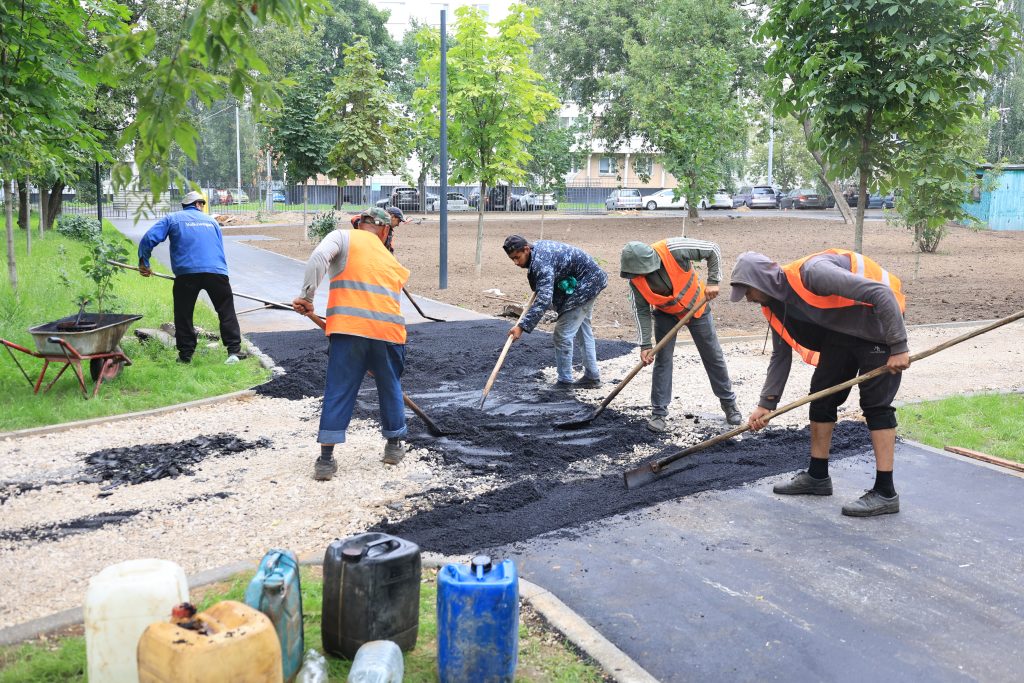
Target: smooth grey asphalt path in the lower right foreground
x=743 y=585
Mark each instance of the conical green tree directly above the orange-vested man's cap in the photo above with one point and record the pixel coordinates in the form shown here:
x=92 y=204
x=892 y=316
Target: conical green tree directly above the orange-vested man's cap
x=363 y=121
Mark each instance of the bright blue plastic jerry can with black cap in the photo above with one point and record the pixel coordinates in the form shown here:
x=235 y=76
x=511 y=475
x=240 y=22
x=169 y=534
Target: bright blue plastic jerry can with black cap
x=478 y=622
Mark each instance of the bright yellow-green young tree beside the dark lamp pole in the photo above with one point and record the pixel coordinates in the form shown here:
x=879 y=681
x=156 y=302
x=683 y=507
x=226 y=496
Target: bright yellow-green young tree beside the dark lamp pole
x=495 y=99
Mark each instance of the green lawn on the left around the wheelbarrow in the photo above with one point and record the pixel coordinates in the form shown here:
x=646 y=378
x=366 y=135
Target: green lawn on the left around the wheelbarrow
x=154 y=379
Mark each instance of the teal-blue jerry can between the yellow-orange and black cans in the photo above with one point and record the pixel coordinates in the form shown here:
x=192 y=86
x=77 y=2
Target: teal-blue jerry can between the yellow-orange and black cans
x=276 y=592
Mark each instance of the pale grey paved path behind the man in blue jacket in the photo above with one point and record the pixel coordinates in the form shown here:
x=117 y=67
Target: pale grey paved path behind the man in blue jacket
x=277 y=278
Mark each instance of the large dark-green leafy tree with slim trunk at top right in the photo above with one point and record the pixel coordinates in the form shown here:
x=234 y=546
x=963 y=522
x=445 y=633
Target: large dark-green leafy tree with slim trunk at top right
x=872 y=76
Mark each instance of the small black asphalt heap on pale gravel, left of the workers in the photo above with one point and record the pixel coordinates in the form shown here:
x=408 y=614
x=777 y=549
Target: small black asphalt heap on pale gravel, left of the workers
x=138 y=464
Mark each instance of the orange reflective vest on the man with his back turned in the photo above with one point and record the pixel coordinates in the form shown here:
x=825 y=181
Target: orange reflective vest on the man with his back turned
x=366 y=297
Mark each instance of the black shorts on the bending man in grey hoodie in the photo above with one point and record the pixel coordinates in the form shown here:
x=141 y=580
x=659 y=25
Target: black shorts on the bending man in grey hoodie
x=844 y=358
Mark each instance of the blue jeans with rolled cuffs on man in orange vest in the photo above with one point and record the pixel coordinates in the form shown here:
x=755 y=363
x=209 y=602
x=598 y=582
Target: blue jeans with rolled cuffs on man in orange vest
x=348 y=364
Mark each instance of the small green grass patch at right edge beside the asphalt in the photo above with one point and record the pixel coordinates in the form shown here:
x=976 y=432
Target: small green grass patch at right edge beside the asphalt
x=989 y=423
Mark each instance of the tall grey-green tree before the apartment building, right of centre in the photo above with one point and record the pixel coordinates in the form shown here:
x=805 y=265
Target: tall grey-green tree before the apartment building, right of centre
x=692 y=113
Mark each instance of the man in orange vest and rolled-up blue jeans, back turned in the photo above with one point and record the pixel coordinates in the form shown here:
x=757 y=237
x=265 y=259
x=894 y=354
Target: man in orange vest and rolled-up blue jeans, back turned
x=366 y=330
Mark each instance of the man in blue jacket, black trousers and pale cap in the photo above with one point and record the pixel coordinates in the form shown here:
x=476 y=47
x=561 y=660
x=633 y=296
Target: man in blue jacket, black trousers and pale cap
x=199 y=264
